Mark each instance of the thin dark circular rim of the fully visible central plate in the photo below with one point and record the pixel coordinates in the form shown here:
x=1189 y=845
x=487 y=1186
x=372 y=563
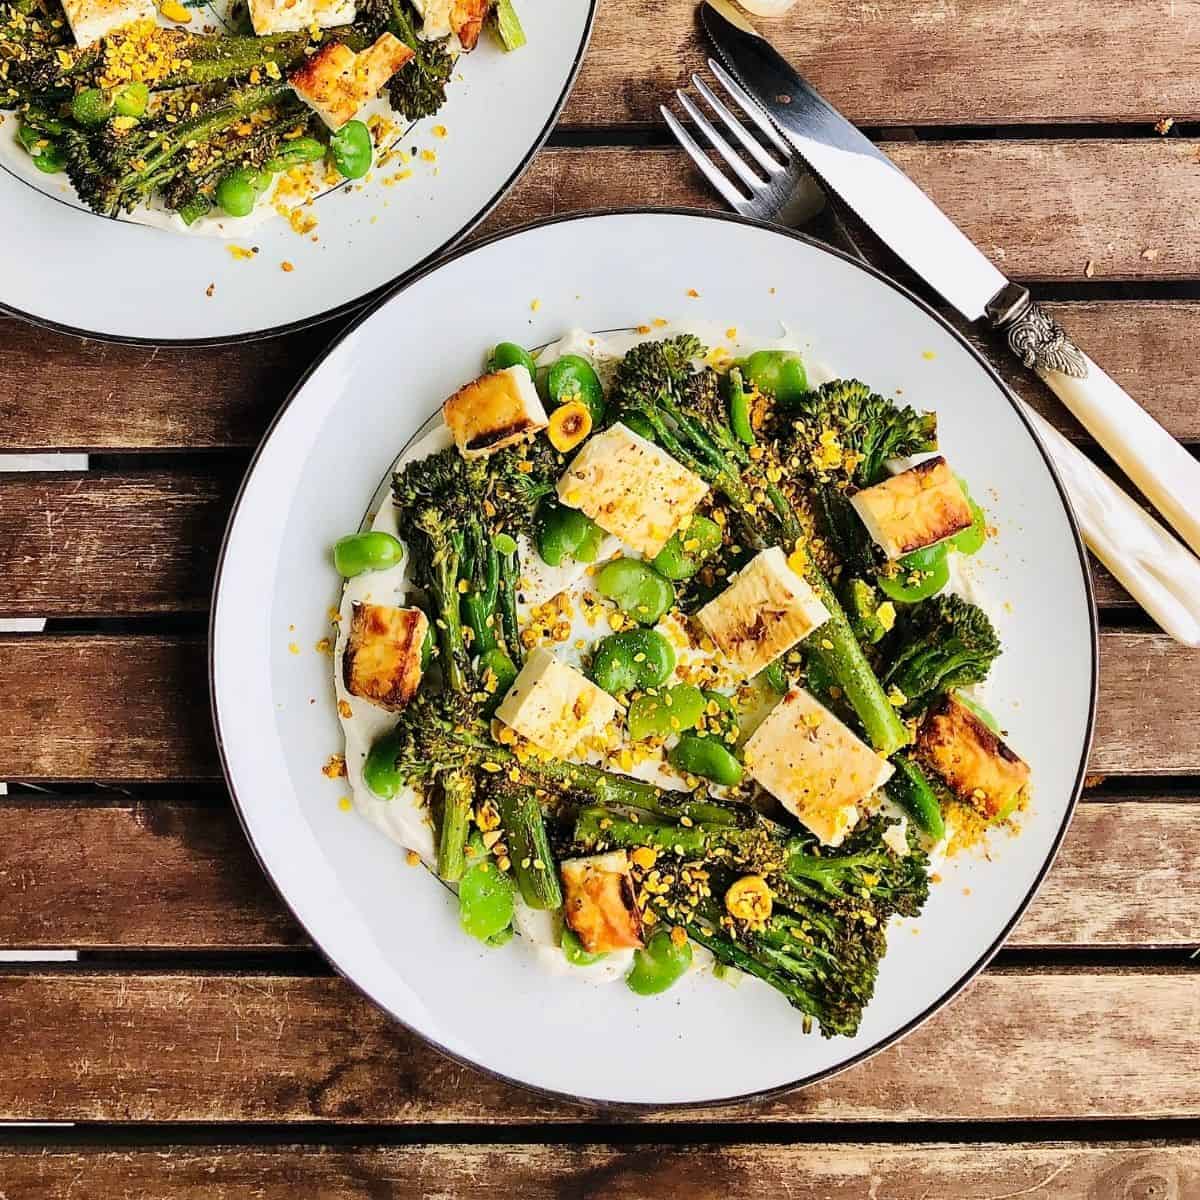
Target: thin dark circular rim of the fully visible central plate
x=640 y=1107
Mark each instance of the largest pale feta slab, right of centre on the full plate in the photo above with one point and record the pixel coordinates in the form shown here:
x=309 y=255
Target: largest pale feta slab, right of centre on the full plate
x=814 y=766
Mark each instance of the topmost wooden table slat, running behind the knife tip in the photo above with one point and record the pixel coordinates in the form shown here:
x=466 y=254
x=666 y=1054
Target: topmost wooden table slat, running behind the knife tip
x=896 y=62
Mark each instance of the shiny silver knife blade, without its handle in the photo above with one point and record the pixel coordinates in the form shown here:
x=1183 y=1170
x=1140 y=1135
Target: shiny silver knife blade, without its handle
x=890 y=203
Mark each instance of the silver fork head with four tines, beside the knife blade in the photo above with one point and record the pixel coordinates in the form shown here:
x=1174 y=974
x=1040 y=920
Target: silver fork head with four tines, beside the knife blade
x=783 y=190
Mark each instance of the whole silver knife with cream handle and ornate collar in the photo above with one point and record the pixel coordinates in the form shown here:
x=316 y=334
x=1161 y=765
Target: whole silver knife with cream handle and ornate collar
x=907 y=220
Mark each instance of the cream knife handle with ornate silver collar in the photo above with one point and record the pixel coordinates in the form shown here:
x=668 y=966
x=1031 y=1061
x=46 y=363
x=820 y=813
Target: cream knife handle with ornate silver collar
x=1165 y=472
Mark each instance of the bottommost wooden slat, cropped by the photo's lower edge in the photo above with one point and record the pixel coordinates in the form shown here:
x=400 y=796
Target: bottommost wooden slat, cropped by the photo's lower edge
x=832 y=1172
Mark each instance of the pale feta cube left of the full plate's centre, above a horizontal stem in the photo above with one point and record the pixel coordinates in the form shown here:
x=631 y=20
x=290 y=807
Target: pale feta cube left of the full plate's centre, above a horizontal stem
x=556 y=707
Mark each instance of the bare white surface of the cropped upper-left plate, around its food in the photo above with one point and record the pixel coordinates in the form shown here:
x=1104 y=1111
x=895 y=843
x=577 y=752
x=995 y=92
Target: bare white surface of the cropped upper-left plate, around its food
x=85 y=274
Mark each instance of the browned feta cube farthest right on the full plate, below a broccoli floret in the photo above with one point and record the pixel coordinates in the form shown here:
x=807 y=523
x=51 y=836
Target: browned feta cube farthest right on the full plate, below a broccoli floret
x=976 y=764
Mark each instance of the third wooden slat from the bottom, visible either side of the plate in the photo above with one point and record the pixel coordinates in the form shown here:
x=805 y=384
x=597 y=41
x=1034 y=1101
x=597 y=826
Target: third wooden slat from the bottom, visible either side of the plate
x=1124 y=878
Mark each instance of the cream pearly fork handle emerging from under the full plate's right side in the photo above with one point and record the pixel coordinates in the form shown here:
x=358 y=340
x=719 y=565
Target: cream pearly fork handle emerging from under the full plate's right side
x=1157 y=571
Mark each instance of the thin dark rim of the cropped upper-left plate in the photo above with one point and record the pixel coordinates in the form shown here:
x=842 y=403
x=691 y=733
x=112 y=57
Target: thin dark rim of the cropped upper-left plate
x=369 y=298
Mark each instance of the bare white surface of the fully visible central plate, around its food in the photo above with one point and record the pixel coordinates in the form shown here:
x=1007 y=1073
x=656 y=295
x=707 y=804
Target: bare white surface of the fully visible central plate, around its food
x=392 y=929
